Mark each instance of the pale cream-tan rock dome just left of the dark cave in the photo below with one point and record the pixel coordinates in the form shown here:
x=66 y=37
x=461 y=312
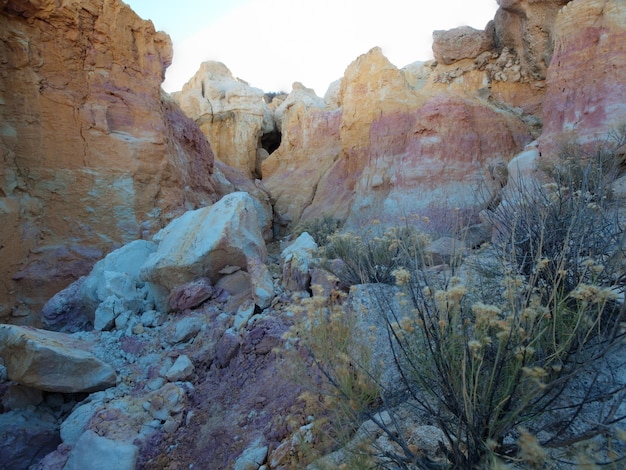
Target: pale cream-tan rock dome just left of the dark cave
x=233 y=115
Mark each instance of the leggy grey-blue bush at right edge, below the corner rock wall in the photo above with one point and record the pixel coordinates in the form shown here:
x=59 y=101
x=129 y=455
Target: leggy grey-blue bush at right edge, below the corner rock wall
x=568 y=223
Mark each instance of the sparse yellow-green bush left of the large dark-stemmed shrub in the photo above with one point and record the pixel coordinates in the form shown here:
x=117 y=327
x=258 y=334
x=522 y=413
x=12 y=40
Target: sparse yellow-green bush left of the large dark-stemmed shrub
x=341 y=377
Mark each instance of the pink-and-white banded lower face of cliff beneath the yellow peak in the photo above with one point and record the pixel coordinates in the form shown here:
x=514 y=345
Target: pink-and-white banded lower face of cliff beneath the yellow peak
x=435 y=162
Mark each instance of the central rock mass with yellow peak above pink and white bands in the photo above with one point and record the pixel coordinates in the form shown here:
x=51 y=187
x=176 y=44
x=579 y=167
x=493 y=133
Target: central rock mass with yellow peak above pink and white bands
x=391 y=149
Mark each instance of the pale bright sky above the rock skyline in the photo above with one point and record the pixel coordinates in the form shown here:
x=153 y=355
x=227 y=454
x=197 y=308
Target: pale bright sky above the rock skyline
x=273 y=43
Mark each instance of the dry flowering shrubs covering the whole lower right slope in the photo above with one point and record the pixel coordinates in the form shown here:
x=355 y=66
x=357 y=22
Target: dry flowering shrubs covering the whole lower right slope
x=511 y=362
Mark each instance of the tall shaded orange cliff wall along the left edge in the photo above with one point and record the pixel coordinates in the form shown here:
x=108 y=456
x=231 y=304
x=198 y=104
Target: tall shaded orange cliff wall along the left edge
x=93 y=153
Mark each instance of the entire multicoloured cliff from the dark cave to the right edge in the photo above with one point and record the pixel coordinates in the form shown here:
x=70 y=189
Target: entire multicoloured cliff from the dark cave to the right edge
x=427 y=138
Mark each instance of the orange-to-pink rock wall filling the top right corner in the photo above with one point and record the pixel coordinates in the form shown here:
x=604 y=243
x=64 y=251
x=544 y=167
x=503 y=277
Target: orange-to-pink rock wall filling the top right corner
x=585 y=86
